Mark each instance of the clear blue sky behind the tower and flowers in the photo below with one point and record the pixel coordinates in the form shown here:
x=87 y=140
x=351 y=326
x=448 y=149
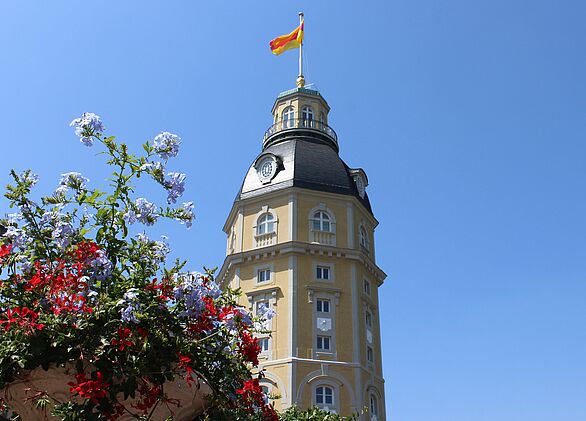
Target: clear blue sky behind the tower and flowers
x=469 y=118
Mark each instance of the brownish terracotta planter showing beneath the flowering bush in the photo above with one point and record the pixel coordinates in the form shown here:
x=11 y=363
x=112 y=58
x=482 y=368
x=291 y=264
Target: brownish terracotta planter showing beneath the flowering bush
x=21 y=395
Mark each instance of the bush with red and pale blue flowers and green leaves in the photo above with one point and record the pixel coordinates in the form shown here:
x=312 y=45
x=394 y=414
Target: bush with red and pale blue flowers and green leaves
x=78 y=289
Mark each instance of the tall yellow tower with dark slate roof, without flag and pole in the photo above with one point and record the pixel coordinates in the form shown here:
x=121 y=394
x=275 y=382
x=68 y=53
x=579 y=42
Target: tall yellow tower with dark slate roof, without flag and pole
x=301 y=241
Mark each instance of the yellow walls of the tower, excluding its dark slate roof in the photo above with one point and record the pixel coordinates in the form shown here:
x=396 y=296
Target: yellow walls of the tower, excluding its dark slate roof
x=324 y=348
